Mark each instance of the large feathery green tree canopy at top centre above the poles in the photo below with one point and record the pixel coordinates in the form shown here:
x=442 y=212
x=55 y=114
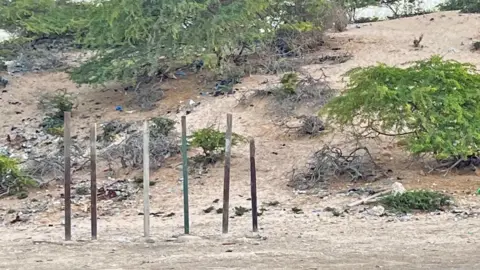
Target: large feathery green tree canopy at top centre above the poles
x=148 y=36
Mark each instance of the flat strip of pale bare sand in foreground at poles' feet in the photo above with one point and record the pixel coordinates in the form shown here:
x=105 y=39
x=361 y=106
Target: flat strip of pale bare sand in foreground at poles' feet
x=432 y=242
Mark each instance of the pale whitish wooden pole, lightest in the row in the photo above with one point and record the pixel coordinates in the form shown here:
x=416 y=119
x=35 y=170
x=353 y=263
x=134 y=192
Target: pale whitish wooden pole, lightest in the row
x=146 y=180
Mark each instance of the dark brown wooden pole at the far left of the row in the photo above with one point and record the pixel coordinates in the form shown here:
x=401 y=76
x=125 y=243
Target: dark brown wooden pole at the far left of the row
x=67 y=140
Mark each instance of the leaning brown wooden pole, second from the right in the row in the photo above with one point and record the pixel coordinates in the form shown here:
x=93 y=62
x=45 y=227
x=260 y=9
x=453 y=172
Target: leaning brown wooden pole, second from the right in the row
x=226 y=179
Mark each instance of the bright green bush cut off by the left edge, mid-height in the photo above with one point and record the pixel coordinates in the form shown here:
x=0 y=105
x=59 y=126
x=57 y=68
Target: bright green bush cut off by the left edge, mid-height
x=11 y=176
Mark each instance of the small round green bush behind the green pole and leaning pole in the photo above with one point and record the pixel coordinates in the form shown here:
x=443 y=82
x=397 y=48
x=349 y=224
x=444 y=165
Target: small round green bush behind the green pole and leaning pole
x=212 y=141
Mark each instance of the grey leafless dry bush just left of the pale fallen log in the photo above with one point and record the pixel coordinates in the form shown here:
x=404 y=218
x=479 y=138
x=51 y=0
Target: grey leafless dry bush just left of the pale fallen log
x=330 y=163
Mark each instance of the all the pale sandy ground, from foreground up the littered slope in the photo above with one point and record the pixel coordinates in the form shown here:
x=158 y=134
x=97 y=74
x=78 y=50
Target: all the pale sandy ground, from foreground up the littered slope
x=314 y=240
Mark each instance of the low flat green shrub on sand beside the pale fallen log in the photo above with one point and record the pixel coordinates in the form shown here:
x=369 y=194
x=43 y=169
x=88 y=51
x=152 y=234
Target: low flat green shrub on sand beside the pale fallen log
x=421 y=200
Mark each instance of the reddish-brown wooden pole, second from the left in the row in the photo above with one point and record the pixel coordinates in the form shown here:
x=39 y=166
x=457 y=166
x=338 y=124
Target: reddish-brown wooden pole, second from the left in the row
x=93 y=180
